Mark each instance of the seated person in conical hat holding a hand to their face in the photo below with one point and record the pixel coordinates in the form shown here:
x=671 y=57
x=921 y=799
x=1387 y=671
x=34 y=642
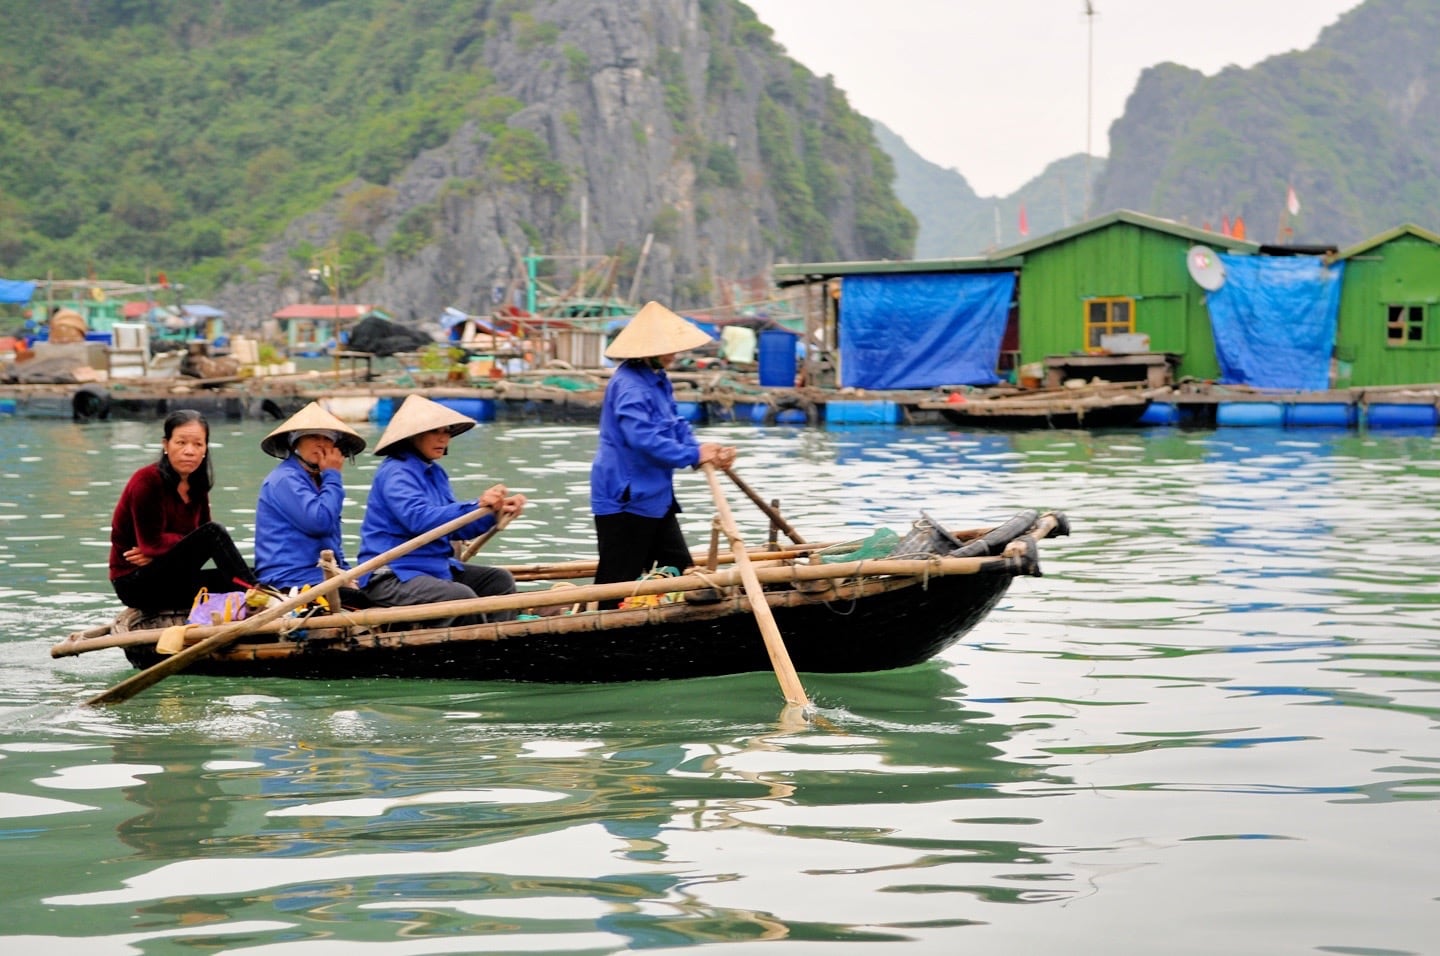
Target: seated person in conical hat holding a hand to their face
x=297 y=515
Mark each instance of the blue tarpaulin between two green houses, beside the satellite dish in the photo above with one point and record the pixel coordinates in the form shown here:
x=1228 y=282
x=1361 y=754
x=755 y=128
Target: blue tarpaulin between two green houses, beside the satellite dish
x=1275 y=322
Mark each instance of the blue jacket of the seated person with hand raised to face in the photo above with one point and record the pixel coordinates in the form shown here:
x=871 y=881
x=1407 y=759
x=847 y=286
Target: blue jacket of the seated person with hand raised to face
x=294 y=522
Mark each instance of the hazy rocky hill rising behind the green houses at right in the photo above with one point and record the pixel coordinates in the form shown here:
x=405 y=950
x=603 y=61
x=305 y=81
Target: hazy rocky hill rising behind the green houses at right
x=1353 y=125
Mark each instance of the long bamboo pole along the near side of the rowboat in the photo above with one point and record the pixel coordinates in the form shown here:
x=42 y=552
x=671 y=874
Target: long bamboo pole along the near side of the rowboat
x=557 y=597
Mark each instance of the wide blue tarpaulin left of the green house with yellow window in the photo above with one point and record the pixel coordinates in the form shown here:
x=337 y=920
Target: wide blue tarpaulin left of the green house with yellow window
x=925 y=330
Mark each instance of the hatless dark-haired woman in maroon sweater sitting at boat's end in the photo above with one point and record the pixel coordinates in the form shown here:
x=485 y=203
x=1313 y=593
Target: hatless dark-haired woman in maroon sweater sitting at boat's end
x=162 y=535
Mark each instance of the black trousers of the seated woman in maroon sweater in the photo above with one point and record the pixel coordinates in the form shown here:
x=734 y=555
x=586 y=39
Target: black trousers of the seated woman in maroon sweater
x=172 y=581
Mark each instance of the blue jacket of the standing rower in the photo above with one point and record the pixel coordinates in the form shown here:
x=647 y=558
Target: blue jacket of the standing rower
x=643 y=443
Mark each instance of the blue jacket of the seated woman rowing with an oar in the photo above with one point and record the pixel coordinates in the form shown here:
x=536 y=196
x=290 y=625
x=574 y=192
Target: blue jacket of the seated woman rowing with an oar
x=410 y=497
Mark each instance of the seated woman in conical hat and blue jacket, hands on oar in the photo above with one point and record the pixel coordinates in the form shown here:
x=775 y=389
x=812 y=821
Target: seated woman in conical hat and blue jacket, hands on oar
x=411 y=495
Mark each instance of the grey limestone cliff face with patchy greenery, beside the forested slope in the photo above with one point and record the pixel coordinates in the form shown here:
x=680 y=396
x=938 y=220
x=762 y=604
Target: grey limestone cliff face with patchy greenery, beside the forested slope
x=678 y=120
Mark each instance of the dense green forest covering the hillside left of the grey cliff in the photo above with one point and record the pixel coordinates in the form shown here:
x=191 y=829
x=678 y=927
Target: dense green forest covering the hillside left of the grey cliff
x=166 y=135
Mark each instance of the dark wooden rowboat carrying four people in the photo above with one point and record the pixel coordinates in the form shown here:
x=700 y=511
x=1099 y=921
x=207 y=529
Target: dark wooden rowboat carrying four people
x=836 y=611
